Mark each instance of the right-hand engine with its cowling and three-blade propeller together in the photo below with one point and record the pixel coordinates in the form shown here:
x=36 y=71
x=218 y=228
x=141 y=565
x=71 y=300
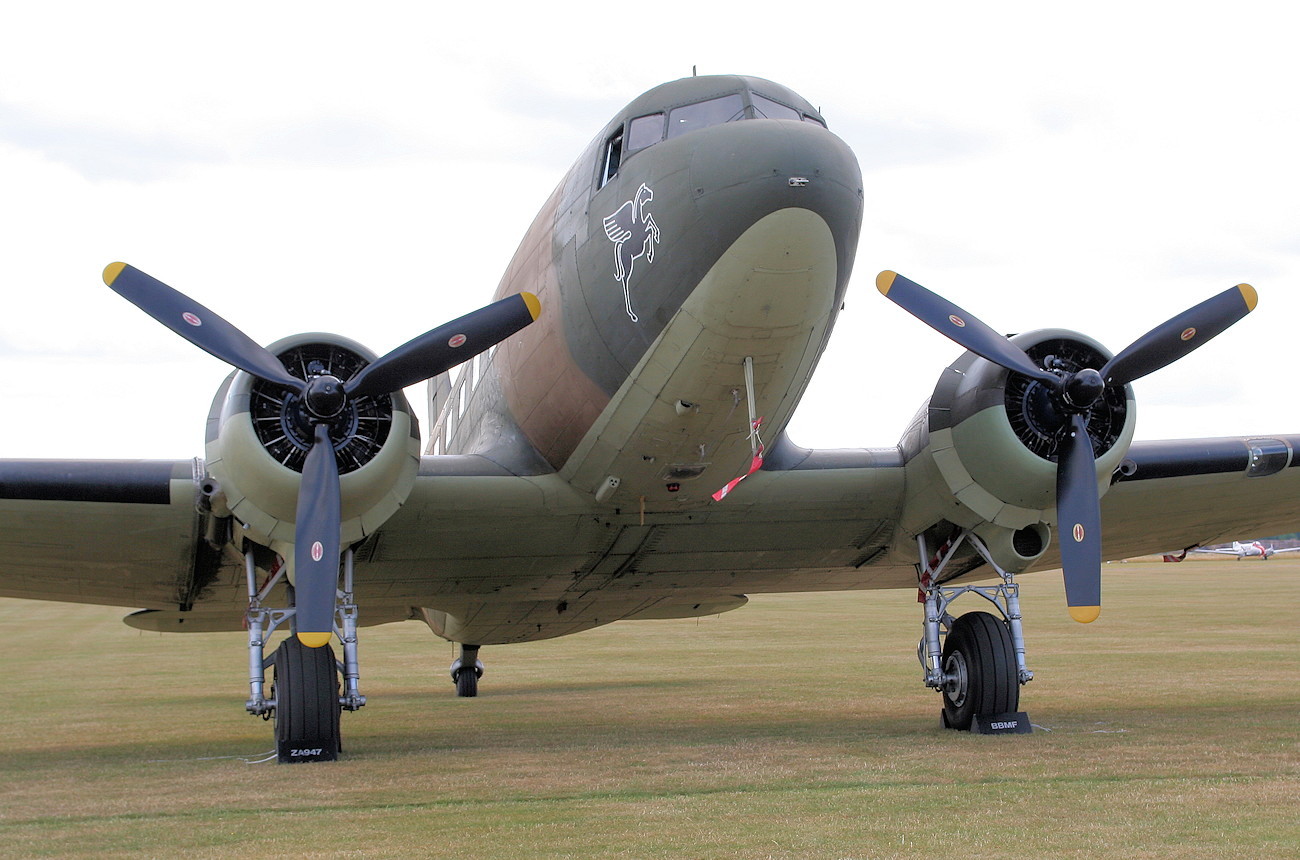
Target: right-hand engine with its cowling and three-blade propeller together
x=1068 y=406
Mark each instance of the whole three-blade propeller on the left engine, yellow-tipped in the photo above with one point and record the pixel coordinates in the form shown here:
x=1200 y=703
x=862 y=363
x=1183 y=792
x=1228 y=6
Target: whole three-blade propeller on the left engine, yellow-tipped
x=319 y=519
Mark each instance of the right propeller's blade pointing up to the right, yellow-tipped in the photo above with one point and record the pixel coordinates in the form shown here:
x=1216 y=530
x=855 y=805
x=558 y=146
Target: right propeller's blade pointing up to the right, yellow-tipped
x=1176 y=338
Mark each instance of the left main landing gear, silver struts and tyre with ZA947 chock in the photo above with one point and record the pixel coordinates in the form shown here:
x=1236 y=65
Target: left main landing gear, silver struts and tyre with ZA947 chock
x=305 y=696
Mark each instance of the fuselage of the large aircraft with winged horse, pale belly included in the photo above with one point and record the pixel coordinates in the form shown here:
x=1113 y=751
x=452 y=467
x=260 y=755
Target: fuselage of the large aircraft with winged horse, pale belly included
x=658 y=280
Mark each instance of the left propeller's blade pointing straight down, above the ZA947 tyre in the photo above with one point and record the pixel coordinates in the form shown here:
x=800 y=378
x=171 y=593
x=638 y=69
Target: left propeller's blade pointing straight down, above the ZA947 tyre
x=317 y=544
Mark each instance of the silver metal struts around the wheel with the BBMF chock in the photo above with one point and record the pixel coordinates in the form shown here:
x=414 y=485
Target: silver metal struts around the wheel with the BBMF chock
x=1006 y=597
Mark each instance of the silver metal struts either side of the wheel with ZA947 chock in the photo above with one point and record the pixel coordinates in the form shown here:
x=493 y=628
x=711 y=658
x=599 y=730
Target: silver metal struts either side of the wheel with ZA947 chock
x=262 y=622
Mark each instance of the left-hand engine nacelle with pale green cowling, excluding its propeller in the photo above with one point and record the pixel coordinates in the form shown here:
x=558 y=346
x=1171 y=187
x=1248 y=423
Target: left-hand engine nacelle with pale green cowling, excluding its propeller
x=257 y=445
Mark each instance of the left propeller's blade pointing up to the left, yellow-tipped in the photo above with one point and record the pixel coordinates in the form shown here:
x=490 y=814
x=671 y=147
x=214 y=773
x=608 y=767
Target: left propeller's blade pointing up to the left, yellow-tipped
x=197 y=324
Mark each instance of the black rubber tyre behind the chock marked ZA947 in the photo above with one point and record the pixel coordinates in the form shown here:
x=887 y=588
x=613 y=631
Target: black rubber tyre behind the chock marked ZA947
x=307 y=709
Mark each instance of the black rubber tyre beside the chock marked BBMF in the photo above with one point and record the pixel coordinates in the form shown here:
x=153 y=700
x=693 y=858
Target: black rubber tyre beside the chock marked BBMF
x=980 y=650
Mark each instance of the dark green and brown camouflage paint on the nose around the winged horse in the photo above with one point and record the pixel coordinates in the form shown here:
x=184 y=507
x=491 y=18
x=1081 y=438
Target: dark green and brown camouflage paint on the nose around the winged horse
x=708 y=188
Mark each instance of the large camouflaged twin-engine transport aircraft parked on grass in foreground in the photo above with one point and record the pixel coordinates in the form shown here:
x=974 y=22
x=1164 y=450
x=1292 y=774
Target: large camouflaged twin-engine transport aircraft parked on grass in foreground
x=613 y=448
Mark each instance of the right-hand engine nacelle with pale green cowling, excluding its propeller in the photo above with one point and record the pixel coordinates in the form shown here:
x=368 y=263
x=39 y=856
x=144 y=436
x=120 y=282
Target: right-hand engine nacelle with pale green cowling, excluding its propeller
x=994 y=437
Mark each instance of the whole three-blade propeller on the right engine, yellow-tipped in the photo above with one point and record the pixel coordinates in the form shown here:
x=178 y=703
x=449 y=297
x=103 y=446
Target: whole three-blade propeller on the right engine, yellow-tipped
x=1078 y=503
